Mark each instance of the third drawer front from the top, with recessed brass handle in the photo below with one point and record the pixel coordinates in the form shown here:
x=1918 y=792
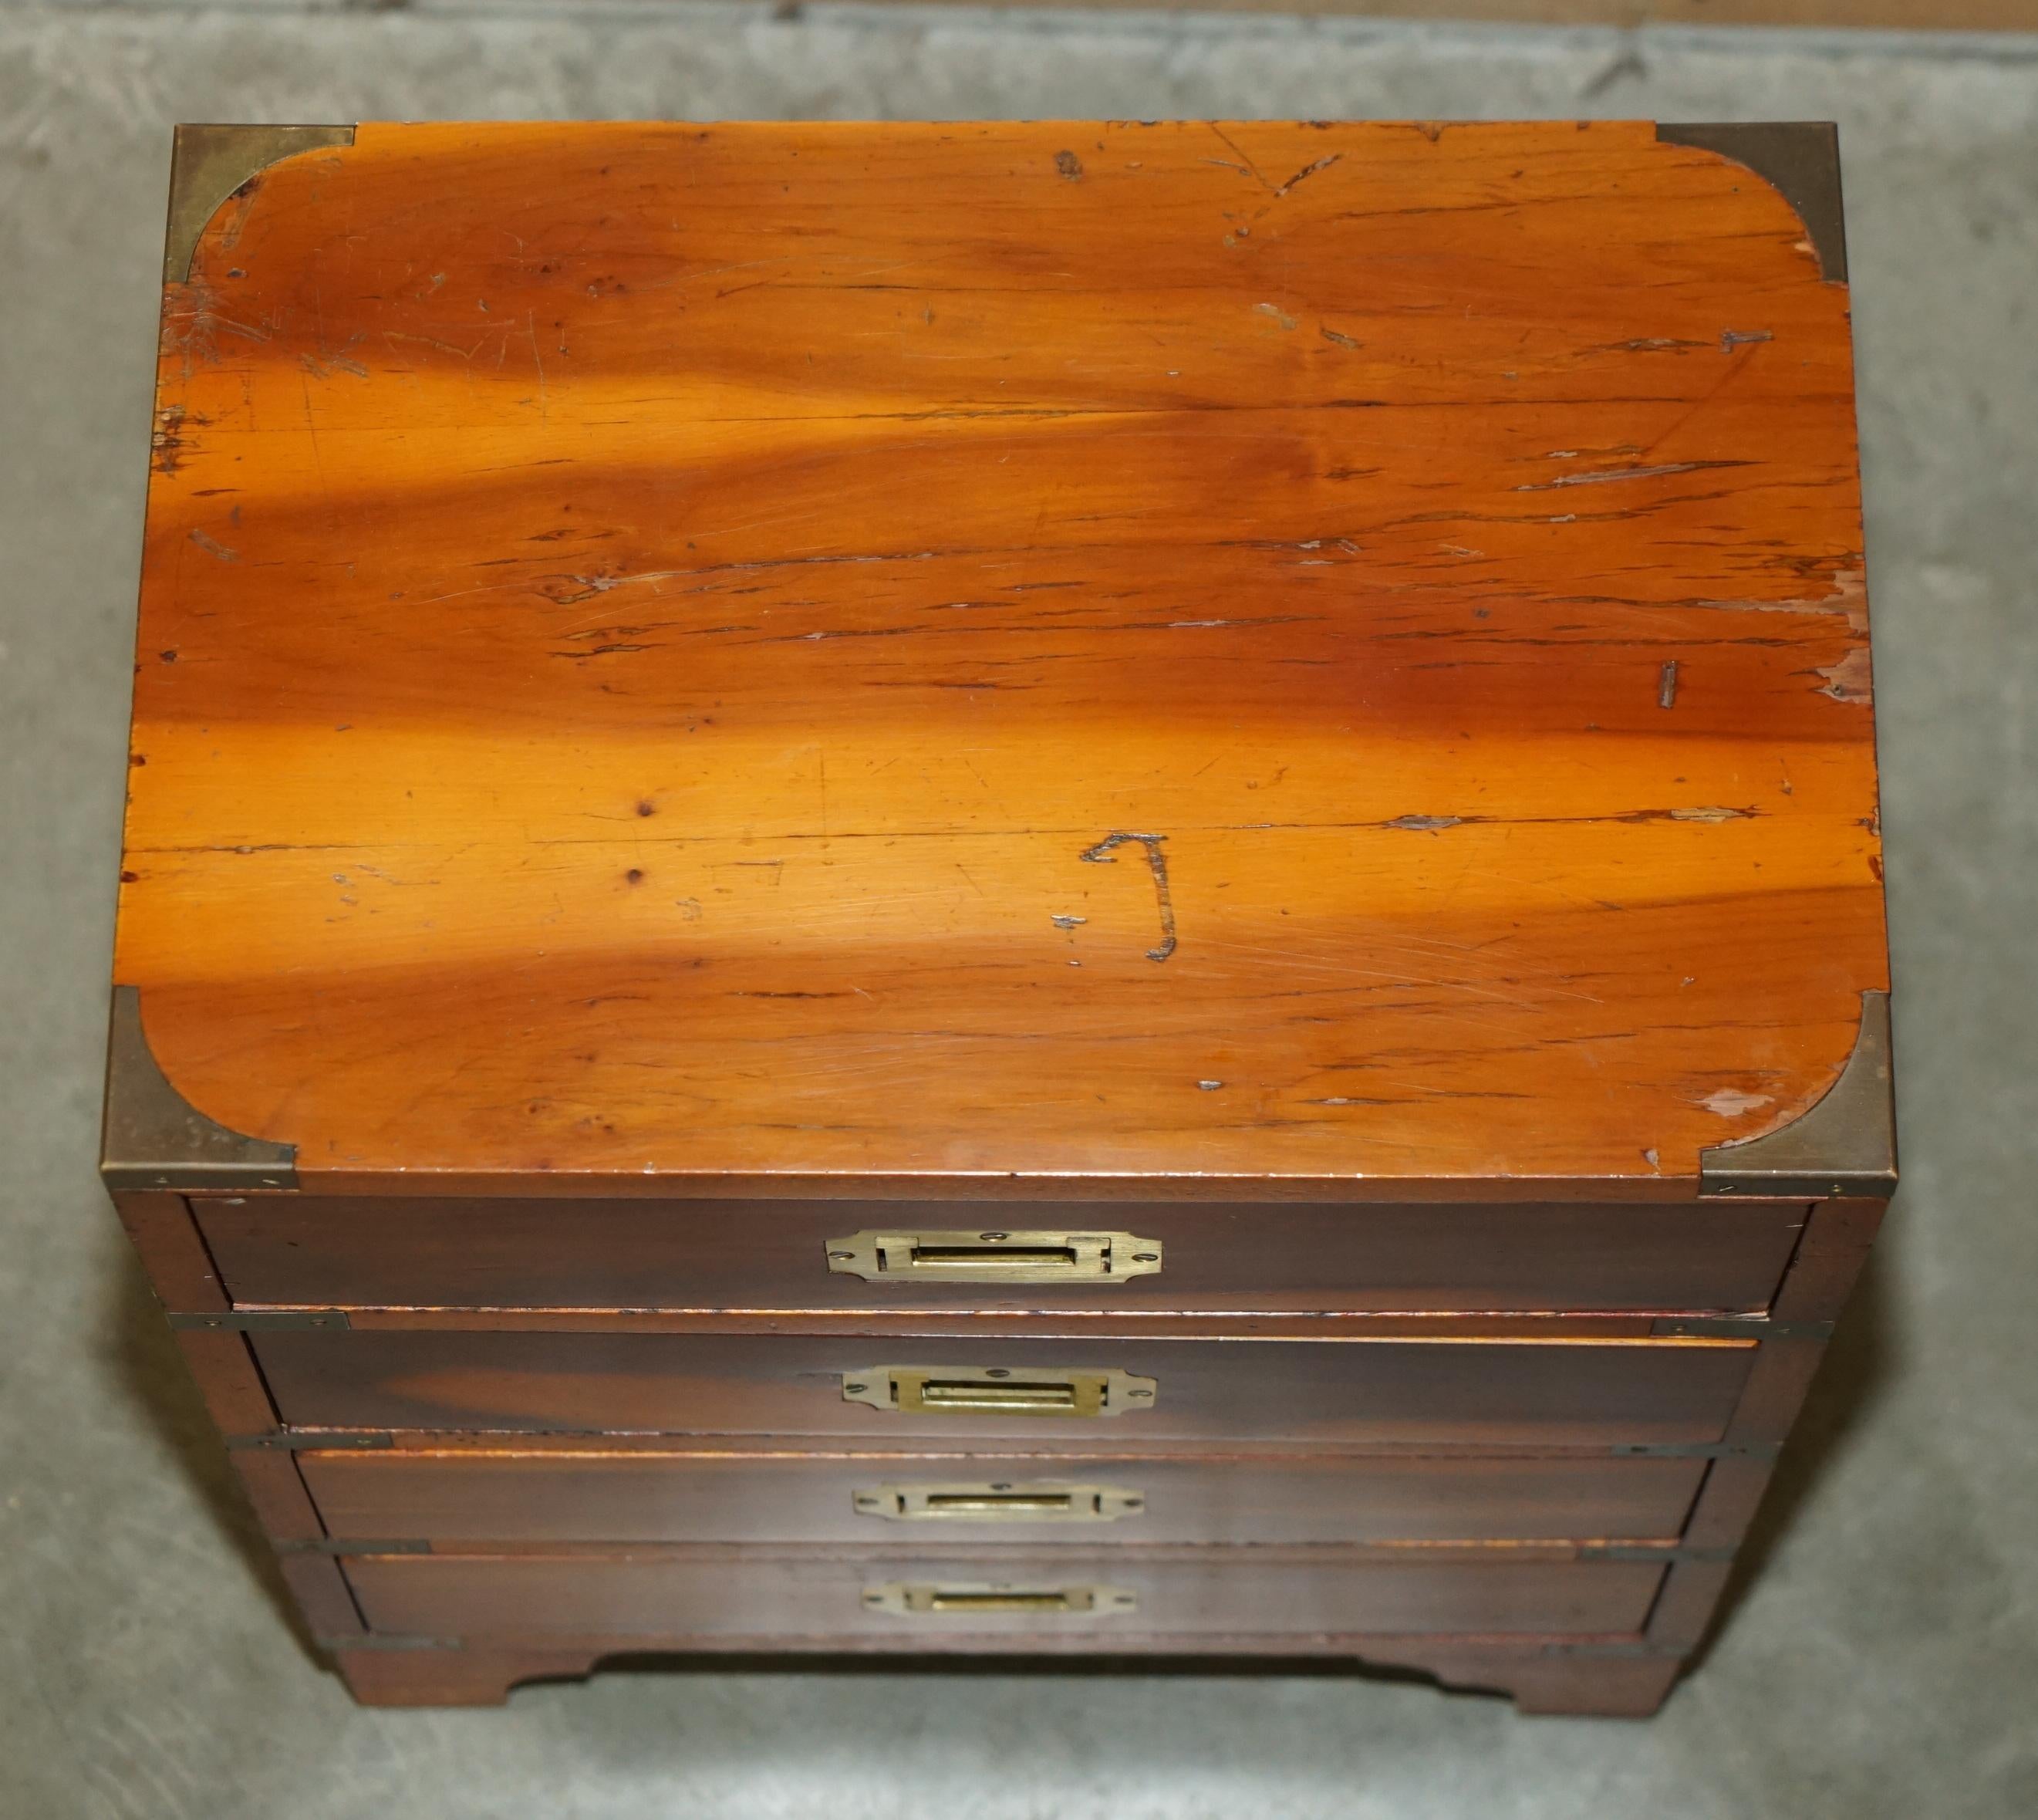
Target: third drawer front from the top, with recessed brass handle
x=606 y=1497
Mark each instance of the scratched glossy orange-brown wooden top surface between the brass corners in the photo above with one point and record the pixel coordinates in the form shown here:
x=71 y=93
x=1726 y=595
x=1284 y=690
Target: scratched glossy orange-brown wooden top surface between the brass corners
x=1285 y=653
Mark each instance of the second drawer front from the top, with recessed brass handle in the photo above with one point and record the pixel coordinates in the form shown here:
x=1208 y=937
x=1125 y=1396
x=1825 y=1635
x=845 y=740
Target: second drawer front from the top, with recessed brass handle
x=820 y=1387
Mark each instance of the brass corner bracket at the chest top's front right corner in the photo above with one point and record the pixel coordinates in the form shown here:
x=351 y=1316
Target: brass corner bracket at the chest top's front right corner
x=1843 y=1144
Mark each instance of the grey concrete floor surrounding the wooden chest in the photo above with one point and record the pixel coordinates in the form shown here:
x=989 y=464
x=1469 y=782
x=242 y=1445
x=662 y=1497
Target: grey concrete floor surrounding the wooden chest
x=1884 y=1658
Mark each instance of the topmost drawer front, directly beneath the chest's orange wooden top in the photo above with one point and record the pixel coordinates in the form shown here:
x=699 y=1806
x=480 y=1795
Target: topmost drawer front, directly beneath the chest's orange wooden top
x=826 y=1256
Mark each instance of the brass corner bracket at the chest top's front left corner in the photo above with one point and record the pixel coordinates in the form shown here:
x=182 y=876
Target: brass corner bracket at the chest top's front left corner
x=156 y=1140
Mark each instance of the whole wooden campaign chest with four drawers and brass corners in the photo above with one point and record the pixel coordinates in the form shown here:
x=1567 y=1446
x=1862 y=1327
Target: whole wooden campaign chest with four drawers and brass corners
x=1004 y=888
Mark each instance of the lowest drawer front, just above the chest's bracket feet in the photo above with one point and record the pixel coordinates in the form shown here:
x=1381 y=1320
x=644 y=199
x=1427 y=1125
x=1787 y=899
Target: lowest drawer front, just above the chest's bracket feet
x=916 y=1595
